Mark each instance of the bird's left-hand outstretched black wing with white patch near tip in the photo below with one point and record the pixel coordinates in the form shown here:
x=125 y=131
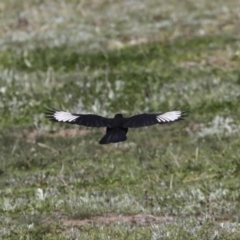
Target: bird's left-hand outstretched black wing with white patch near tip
x=88 y=120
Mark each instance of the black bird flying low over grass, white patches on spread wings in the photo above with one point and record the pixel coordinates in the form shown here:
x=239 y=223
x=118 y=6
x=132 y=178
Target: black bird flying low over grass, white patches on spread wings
x=117 y=127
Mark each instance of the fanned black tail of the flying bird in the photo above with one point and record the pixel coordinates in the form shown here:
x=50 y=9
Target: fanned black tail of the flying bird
x=114 y=136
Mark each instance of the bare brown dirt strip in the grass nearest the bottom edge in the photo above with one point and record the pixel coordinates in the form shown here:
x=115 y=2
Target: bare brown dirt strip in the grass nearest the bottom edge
x=140 y=219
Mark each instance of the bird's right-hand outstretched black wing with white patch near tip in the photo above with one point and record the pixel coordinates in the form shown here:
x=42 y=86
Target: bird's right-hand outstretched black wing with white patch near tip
x=148 y=119
